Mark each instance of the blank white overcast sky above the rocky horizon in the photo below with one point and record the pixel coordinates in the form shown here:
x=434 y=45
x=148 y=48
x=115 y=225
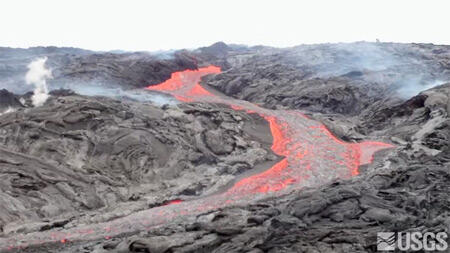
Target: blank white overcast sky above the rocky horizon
x=169 y=24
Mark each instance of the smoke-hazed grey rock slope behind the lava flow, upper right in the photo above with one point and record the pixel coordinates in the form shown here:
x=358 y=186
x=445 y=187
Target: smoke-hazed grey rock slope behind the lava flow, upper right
x=331 y=78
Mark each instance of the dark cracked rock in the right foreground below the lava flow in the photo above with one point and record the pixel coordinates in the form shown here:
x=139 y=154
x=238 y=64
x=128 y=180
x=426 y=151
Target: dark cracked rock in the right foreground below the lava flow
x=405 y=190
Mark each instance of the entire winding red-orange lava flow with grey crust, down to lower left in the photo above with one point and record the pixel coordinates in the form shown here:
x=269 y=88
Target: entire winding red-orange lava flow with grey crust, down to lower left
x=312 y=157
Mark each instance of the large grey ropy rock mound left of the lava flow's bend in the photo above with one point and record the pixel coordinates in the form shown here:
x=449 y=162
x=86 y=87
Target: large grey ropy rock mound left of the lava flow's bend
x=94 y=159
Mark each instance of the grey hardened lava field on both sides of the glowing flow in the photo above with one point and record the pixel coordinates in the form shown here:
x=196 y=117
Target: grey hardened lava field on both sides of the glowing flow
x=80 y=159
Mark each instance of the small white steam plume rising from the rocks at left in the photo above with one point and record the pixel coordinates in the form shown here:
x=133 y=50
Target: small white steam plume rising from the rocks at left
x=37 y=75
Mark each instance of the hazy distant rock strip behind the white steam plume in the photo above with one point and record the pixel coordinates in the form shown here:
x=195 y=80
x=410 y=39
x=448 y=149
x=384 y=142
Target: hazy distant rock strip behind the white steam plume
x=75 y=67
